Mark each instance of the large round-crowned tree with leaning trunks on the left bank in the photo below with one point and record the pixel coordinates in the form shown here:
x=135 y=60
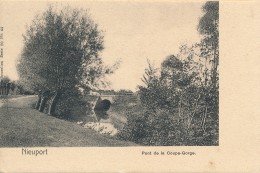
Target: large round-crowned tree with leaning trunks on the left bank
x=61 y=52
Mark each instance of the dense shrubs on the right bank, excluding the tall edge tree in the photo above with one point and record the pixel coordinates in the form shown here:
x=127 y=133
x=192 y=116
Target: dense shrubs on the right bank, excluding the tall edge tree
x=181 y=110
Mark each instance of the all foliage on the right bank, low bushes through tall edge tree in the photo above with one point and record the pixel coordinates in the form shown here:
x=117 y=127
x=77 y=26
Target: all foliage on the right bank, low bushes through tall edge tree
x=182 y=101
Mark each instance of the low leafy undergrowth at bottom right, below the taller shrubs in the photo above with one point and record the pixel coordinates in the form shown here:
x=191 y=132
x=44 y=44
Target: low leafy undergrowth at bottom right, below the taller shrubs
x=161 y=128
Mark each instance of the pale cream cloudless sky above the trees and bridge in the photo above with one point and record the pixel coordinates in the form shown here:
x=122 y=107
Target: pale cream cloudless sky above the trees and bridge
x=133 y=32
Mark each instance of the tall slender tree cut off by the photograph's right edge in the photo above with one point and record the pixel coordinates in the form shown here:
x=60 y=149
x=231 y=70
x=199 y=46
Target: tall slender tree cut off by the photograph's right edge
x=209 y=50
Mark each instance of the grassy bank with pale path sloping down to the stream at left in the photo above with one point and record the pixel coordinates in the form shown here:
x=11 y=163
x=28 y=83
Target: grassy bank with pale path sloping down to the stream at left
x=22 y=126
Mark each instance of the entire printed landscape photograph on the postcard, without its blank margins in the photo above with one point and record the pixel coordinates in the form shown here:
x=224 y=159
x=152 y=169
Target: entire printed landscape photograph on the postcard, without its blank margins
x=109 y=74
